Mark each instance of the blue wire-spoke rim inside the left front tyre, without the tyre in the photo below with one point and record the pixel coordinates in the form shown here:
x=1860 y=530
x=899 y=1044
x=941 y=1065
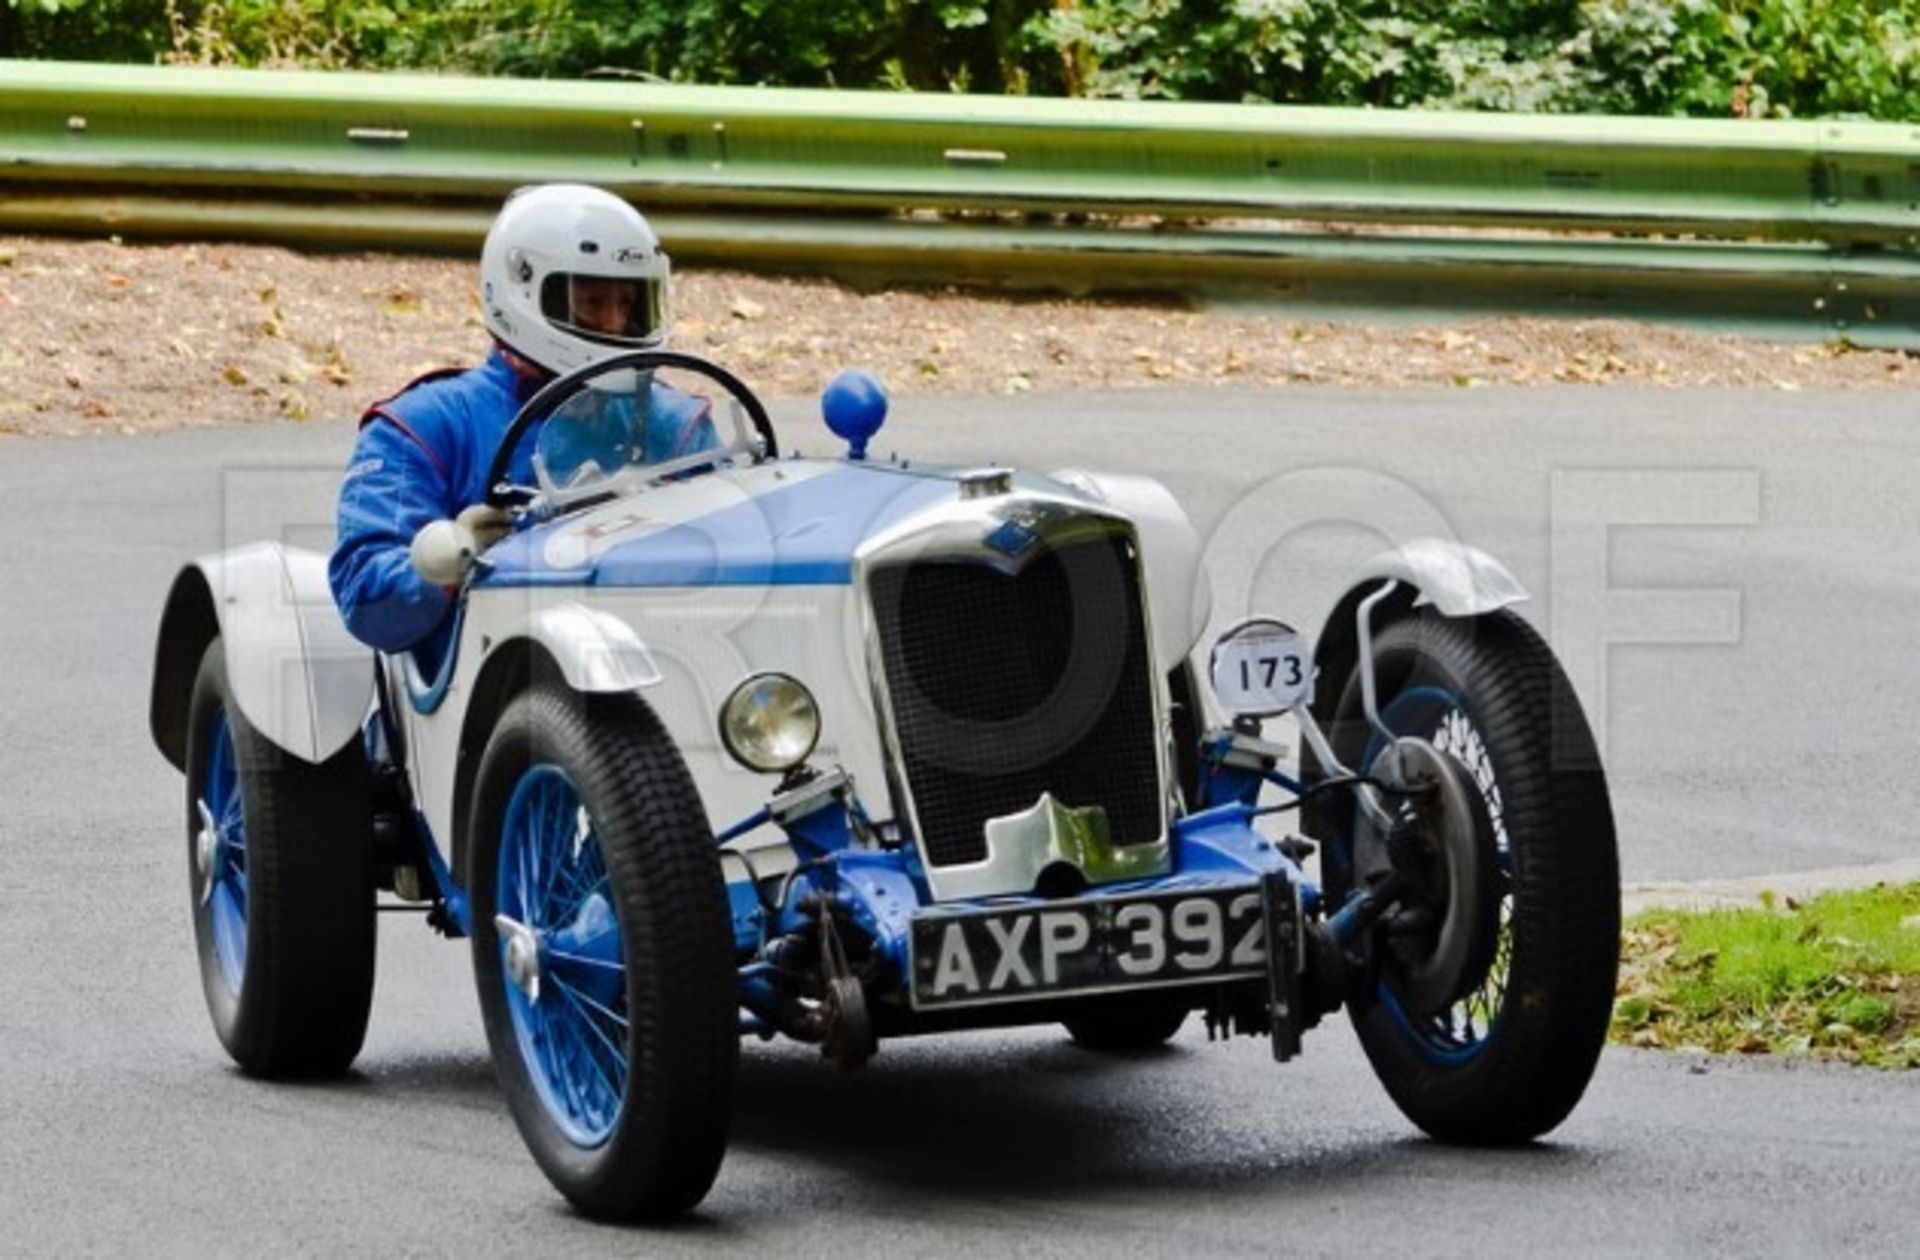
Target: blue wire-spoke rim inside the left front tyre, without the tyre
x=564 y=963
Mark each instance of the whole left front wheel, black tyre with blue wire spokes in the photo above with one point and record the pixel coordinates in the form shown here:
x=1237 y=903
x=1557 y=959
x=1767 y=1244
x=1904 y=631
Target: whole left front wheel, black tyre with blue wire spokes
x=604 y=954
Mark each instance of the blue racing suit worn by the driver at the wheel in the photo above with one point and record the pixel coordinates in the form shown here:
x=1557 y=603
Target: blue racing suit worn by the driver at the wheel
x=421 y=458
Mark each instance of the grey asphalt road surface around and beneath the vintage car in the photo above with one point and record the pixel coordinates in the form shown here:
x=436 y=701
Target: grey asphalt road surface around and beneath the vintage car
x=1775 y=531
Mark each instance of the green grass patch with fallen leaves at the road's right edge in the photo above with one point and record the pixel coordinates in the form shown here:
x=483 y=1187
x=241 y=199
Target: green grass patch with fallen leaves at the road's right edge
x=1836 y=977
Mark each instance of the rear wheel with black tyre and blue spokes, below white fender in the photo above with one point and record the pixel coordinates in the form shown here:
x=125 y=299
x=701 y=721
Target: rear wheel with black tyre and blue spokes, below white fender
x=279 y=861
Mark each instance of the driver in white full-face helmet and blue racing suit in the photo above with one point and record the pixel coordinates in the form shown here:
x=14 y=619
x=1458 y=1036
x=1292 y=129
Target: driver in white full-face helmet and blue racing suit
x=569 y=276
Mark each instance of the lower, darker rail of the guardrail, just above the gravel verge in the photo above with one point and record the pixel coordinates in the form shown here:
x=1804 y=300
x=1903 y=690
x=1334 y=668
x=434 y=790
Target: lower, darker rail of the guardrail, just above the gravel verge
x=1764 y=291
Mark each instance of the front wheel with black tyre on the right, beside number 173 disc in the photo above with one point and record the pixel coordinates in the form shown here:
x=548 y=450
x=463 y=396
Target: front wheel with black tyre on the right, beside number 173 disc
x=1512 y=1057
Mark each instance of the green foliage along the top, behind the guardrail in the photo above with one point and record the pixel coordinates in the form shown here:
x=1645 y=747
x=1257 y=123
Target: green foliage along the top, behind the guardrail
x=1752 y=59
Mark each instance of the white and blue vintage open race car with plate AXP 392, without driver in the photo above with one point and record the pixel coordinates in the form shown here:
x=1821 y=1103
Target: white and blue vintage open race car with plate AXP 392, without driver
x=848 y=750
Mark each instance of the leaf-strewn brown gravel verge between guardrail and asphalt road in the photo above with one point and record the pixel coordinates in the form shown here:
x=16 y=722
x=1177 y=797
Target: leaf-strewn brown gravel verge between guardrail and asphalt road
x=105 y=337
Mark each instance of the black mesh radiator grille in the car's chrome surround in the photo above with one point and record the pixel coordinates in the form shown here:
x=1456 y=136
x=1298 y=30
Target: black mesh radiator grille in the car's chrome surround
x=1007 y=687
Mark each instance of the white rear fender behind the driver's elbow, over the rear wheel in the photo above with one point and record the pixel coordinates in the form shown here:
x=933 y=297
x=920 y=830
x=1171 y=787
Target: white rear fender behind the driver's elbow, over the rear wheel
x=295 y=671
